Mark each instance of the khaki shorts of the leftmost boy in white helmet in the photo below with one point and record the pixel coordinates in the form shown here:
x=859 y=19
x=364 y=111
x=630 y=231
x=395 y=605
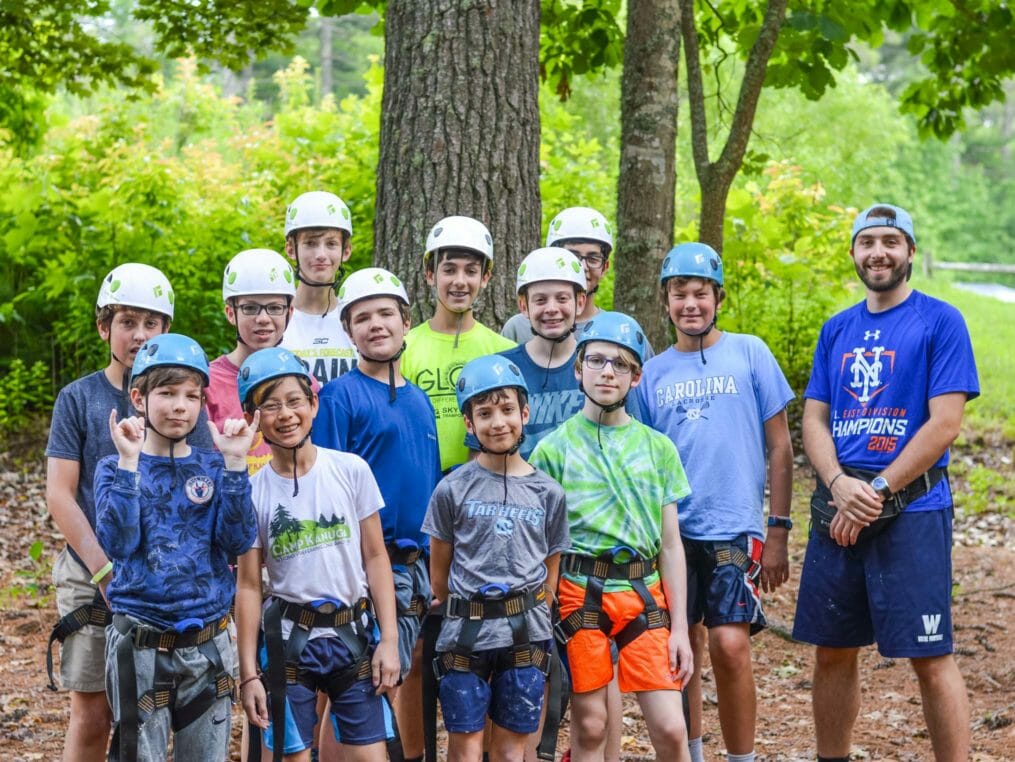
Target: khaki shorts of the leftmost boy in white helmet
x=83 y=655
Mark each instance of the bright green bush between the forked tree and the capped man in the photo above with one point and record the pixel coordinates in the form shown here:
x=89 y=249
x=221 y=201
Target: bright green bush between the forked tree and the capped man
x=781 y=238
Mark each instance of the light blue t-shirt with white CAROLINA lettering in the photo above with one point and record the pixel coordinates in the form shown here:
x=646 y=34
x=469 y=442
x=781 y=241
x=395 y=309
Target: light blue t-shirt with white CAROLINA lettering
x=715 y=413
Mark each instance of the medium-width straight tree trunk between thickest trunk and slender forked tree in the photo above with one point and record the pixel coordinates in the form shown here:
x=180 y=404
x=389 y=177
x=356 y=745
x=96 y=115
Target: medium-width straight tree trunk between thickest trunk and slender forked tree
x=648 y=178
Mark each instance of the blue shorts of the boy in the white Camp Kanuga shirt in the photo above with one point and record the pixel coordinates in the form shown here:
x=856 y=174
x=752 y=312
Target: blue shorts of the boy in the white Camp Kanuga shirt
x=359 y=717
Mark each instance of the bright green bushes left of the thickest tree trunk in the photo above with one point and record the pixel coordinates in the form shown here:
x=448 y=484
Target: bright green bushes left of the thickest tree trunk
x=182 y=180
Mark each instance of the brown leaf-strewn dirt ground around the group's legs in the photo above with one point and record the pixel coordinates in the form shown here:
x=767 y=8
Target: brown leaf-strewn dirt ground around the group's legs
x=891 y=727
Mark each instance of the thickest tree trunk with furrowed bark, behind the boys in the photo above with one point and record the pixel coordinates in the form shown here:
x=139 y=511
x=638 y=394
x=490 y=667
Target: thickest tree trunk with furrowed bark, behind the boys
x=459 y=135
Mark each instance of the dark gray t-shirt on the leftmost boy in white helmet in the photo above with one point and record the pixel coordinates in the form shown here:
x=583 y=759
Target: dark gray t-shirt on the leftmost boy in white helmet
x=81 y=432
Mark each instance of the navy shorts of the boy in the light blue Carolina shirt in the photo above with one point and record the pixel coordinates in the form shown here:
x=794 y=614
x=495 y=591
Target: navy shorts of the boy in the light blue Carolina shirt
x=723 y=595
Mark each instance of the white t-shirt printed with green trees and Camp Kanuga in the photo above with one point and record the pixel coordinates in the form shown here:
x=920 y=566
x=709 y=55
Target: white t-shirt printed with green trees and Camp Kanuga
x=311 y=543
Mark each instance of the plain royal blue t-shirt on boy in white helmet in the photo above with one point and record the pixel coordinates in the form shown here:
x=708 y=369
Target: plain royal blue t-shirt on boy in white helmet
x=398 y=440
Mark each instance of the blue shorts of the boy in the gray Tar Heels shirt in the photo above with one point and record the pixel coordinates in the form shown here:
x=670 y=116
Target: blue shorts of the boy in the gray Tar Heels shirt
x=513 y=699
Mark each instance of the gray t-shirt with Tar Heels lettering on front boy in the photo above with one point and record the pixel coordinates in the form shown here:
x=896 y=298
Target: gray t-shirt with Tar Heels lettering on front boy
x=504 y=542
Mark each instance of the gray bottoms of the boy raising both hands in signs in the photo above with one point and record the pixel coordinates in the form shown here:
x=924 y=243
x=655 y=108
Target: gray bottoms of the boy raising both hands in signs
x=205 y=740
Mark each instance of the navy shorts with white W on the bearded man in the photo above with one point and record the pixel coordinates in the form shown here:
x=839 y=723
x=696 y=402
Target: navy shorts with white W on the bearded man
x=895 y=589
